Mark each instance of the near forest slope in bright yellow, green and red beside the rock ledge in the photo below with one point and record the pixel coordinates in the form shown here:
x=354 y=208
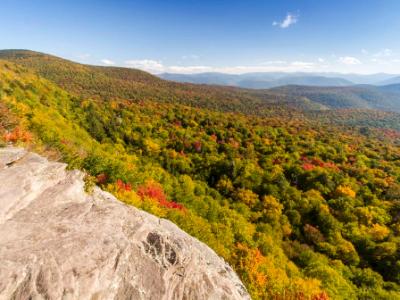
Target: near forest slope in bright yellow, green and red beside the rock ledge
x=299 y=209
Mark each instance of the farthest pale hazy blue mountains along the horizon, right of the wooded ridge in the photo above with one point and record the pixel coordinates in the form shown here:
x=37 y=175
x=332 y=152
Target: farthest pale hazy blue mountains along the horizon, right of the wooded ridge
x=275 y=79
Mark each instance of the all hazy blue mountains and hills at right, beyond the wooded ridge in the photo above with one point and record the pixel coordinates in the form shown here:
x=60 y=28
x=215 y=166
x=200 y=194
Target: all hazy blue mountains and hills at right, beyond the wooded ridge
x=312 y=91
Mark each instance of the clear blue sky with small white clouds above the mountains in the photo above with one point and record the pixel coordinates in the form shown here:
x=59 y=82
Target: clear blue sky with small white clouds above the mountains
x=233 y=36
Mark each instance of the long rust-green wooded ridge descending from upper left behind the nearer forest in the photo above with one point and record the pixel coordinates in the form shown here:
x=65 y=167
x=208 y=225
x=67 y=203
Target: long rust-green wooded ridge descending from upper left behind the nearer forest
x=108 y=83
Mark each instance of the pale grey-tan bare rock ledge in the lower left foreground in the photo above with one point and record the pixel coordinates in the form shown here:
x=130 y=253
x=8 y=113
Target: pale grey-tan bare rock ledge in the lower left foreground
x=58 y=242
